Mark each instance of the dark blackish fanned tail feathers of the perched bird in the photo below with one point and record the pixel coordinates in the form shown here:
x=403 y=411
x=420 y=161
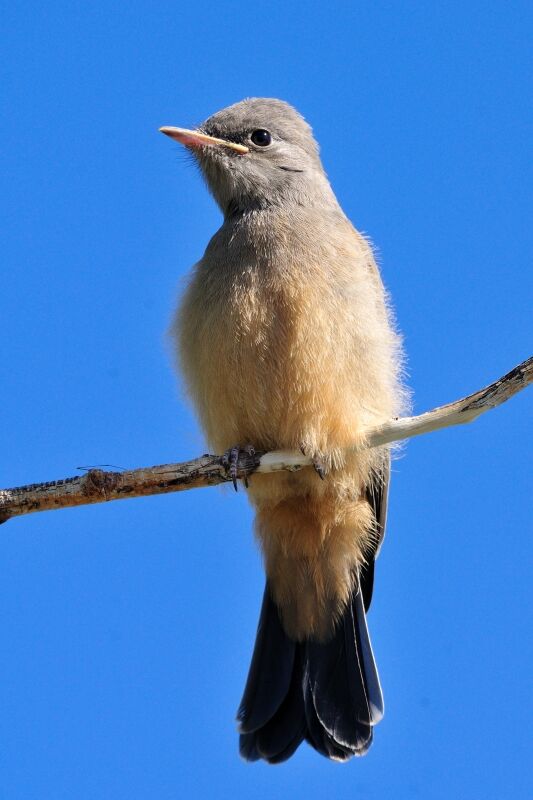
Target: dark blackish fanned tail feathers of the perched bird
x=325 y=692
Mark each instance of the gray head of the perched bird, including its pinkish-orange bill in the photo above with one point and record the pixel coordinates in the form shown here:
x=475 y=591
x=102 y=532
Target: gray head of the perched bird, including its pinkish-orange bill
x=257 y=154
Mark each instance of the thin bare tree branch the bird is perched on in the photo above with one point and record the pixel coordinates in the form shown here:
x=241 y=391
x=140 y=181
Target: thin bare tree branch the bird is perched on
x=99 y=486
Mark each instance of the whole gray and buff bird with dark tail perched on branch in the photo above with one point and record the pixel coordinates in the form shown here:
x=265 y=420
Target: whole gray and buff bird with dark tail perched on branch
x=286 y=339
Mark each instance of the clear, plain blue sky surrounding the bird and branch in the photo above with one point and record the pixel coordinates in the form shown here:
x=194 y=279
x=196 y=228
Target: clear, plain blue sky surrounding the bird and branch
x=126 y=629
